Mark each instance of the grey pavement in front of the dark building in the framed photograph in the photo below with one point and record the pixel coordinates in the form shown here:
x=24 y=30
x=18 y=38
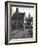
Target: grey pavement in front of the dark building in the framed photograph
x=20 y=33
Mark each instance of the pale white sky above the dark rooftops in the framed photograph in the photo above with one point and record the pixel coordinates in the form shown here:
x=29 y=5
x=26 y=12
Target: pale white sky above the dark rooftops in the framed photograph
x=24 y=9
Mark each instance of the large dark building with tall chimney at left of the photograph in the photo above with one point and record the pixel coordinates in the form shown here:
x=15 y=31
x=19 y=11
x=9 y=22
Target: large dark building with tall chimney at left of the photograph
x=17 y=20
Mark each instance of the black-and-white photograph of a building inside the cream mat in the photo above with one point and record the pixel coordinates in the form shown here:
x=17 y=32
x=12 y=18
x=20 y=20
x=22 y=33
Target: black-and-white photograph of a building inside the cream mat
x=21 y=22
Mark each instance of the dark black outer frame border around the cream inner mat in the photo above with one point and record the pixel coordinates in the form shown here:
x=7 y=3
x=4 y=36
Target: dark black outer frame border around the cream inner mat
x=6 y=14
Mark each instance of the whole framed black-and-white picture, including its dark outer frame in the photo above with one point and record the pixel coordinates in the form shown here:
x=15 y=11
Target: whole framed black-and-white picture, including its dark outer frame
x=21 y=22
